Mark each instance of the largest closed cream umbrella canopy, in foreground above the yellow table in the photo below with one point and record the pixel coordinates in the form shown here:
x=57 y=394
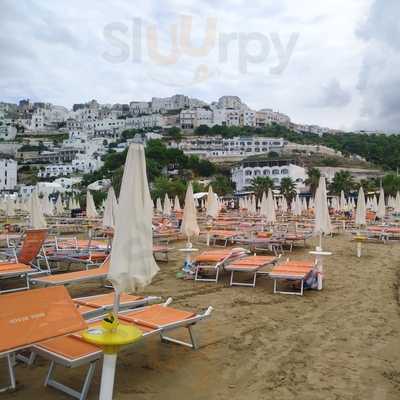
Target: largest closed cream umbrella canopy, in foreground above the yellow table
x=132 y=265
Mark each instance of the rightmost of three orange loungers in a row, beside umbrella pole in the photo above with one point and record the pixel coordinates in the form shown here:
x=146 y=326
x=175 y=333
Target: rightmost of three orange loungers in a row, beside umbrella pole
x=291 y=271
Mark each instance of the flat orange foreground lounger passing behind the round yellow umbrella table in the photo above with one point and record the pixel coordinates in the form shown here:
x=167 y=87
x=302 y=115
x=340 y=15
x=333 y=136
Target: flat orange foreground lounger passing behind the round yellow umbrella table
x=71 y=351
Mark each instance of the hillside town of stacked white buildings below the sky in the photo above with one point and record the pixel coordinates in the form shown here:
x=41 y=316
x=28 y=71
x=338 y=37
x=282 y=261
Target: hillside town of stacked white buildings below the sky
x=57 y=146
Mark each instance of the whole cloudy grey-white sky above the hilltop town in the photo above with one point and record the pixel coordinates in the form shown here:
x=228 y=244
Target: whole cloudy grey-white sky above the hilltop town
x=334 y=62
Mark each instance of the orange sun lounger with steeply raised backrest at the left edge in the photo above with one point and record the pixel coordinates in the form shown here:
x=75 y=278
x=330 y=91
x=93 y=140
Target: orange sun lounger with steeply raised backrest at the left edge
x=23 y=266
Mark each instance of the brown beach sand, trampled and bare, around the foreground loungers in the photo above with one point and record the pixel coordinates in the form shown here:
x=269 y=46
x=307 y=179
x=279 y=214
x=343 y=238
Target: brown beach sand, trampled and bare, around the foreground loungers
x=340 y=343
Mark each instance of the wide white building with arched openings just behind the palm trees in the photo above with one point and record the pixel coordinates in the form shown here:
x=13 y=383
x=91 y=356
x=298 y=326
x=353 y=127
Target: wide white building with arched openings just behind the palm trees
x=246 y=171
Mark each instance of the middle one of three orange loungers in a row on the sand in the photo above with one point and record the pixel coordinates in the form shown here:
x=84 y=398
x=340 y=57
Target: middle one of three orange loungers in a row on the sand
x=250 y=265
